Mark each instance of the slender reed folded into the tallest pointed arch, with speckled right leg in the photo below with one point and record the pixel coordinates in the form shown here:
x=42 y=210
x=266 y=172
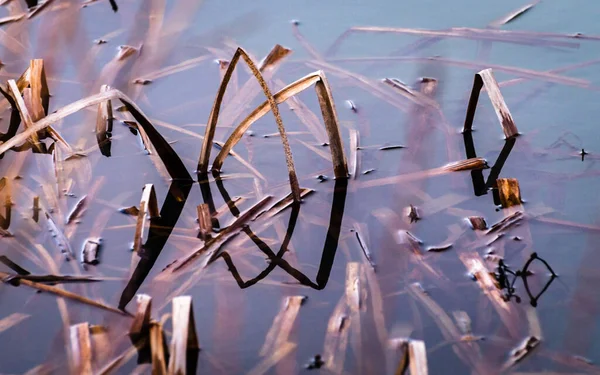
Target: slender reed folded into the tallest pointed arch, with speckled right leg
x=214 y=116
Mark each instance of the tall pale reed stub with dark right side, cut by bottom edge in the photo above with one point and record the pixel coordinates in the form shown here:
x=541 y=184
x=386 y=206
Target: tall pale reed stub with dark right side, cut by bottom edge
x=184 y=336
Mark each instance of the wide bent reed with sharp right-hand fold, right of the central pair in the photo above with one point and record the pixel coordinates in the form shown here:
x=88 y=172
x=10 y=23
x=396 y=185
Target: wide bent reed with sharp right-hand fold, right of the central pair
x=328 y=110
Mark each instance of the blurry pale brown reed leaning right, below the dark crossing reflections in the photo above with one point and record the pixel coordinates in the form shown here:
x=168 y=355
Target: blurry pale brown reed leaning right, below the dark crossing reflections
x=279 y=333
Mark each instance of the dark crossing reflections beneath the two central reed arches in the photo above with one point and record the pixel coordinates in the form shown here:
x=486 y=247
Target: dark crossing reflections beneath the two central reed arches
x=276 y=259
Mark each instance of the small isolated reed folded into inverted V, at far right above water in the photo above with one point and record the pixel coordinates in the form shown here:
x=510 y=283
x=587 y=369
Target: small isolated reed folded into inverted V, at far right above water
x=486 y=78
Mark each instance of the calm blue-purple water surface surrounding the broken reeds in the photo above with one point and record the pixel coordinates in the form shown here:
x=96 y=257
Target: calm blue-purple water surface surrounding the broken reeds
x=556 y=122
